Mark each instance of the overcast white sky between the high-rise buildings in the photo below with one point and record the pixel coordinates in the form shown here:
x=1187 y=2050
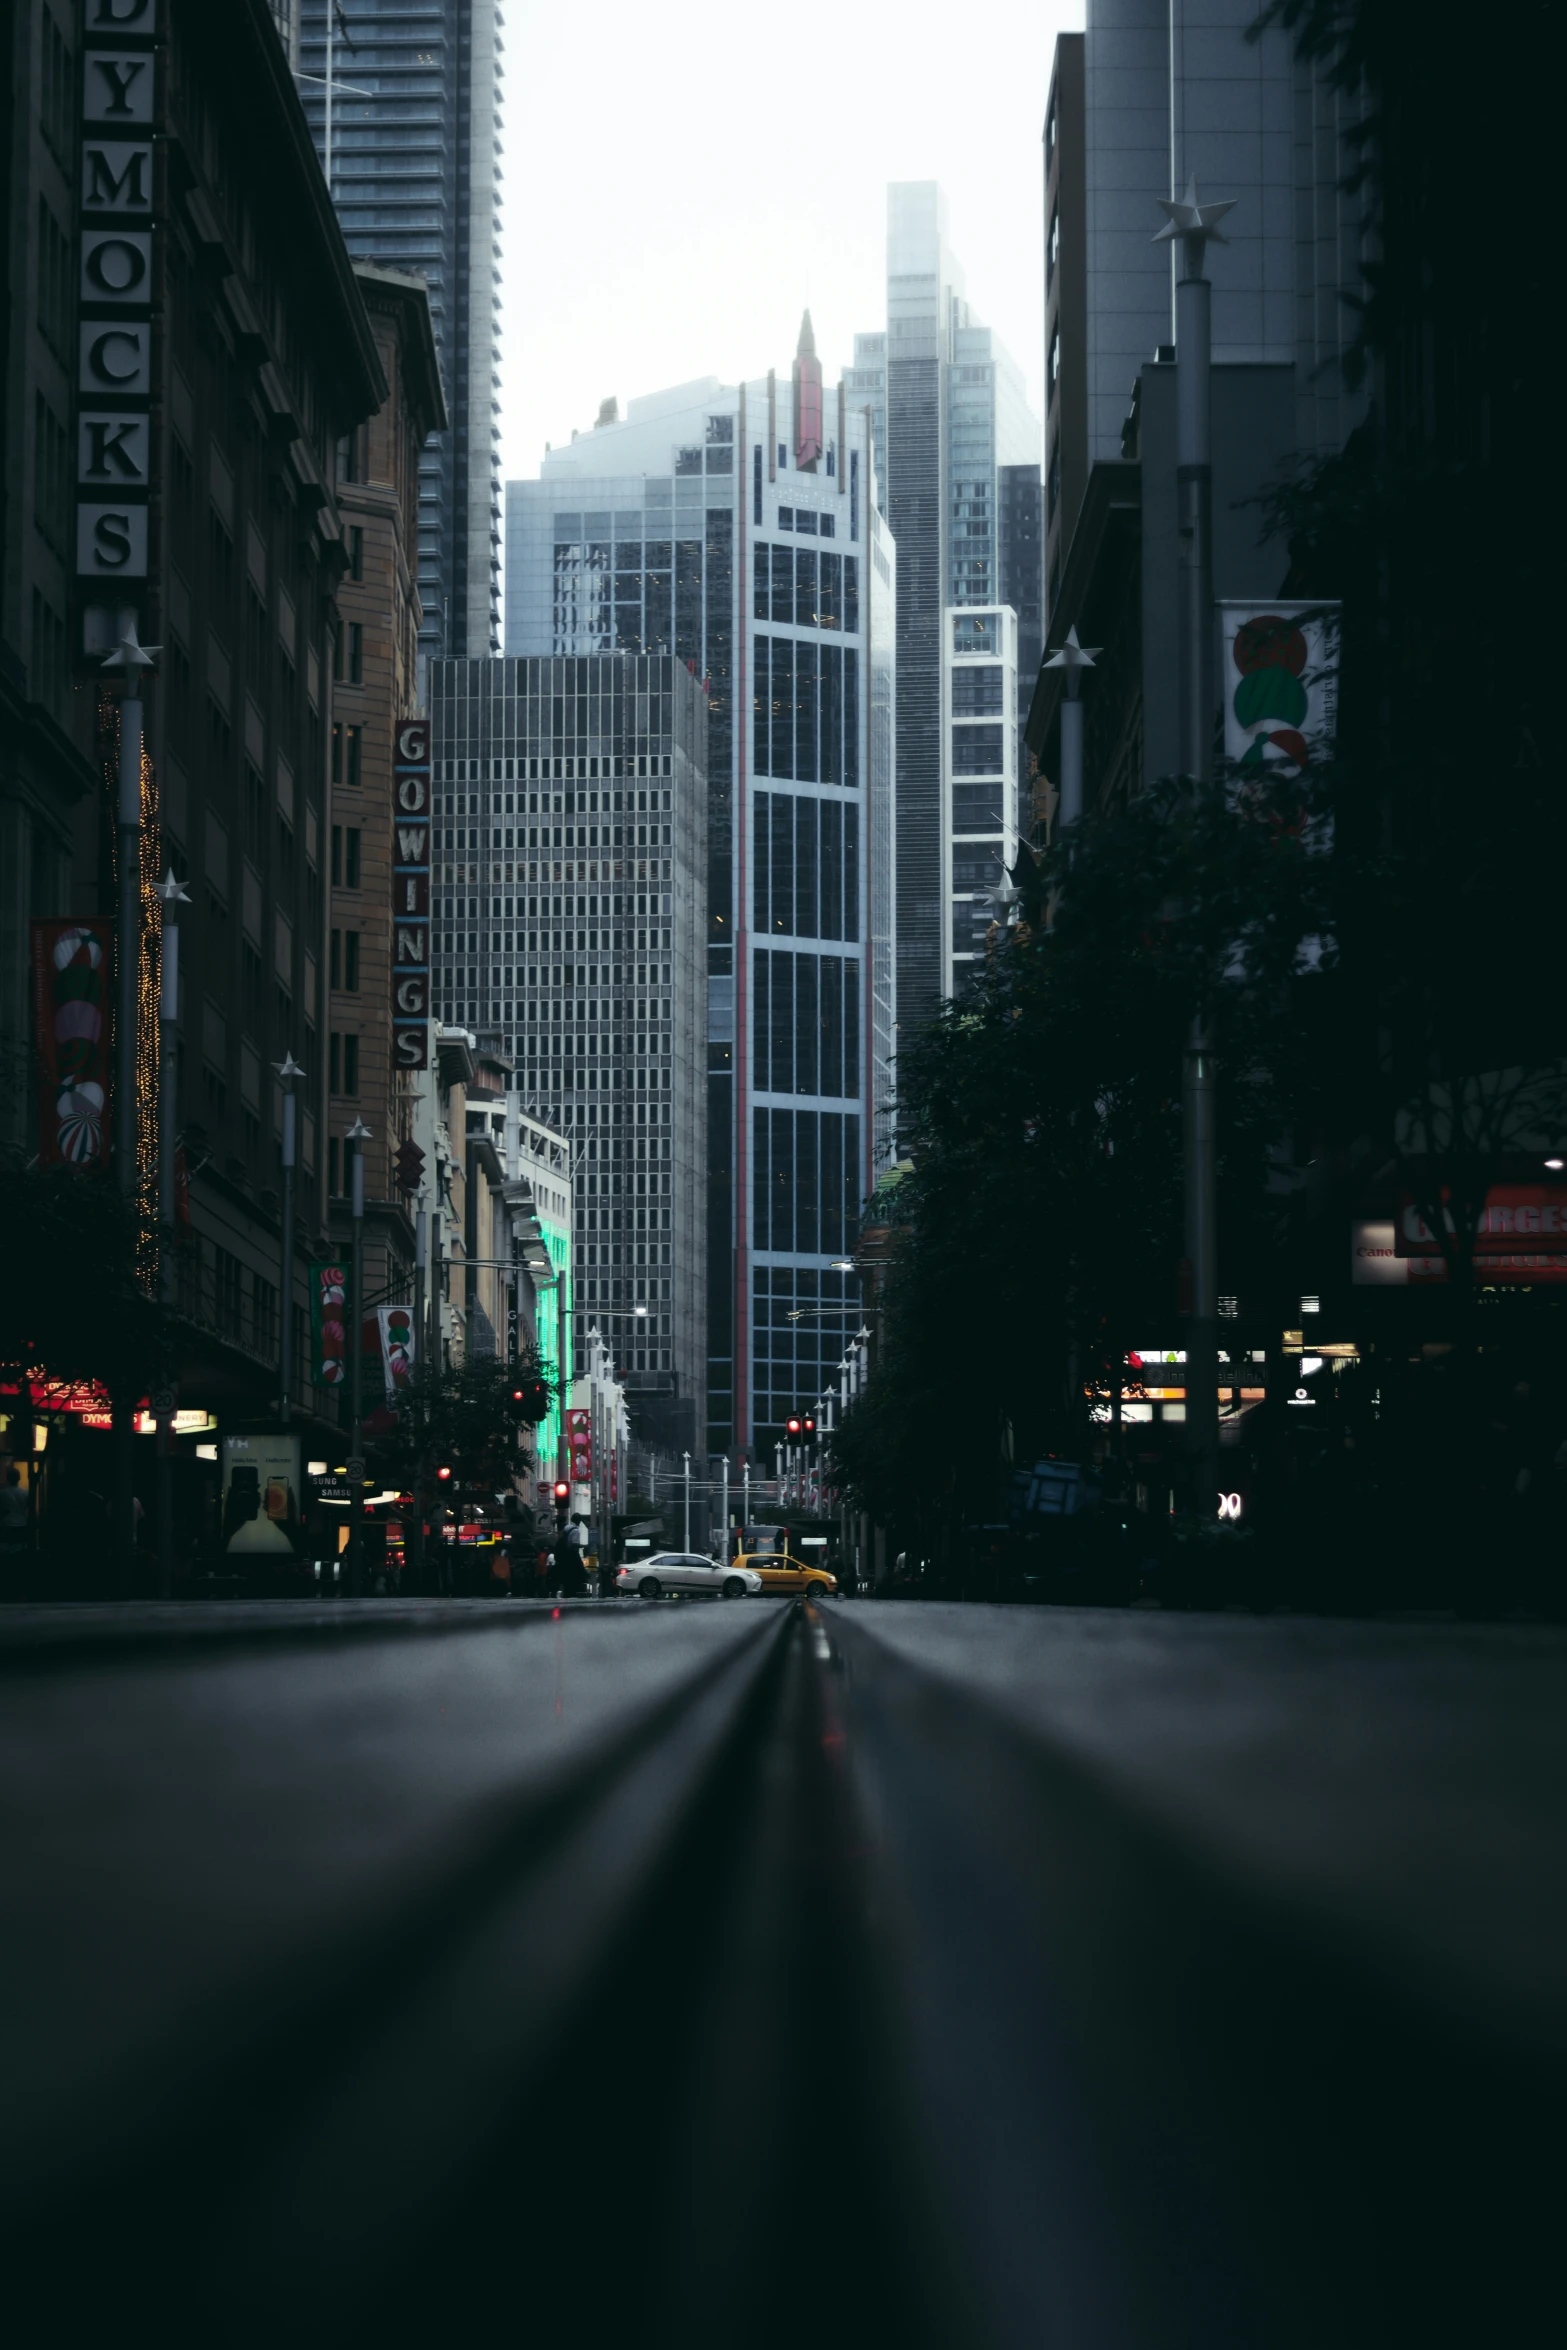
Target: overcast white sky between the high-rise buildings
x=680 y=184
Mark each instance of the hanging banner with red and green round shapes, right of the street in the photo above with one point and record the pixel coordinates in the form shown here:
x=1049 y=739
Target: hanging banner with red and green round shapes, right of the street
x=1282 y=683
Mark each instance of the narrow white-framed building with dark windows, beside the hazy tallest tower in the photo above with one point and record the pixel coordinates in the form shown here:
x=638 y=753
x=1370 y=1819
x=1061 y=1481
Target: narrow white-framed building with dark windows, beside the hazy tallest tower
x=978 y=781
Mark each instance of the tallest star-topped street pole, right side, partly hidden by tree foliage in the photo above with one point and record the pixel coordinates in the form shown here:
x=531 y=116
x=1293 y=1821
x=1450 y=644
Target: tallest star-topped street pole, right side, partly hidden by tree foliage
x=1192 y=224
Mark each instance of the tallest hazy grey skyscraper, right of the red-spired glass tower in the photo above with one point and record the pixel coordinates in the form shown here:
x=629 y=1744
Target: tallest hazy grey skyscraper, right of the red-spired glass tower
x=953 y=415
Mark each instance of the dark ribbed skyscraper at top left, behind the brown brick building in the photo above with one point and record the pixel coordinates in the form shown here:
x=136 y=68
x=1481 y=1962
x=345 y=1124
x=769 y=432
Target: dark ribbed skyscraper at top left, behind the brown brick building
x=415 y=100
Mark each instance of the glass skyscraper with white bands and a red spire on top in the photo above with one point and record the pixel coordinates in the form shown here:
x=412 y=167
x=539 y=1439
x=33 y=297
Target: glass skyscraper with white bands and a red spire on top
x=737 y=528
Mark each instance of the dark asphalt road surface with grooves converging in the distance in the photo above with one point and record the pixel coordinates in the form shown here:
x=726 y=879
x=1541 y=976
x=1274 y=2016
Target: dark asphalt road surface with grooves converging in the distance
x=711 y=1975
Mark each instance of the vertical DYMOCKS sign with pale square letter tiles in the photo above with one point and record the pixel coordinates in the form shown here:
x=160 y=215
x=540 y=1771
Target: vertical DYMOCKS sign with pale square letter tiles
x=114 y=457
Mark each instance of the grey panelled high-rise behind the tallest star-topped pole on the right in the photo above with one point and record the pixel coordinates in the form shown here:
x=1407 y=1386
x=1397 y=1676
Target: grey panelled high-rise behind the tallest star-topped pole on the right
x=1148 y=98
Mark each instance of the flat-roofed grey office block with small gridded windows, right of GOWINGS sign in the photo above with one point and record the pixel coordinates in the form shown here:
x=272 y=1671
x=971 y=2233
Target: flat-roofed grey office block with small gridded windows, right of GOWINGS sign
x=567 y=932
